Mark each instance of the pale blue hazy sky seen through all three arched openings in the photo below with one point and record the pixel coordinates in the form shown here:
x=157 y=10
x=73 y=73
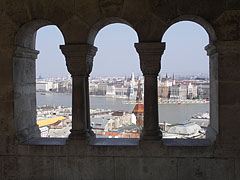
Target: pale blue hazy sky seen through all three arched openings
x=117 y=56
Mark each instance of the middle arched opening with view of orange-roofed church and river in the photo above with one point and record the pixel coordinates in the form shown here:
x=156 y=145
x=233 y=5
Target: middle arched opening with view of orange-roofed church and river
x=115 y=84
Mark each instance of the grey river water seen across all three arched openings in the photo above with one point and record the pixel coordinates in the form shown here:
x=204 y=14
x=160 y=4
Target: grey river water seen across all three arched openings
x=170 y=113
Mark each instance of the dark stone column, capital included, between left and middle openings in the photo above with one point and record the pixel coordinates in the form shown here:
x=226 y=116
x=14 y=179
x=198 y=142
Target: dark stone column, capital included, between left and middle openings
x=79 y=60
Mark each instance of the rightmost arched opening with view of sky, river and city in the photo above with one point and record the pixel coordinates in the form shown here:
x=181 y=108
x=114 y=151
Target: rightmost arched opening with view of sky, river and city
x=184 y=83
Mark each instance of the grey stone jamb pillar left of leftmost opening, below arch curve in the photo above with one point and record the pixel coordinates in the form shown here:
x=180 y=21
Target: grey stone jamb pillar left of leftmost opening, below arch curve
x=24 y=76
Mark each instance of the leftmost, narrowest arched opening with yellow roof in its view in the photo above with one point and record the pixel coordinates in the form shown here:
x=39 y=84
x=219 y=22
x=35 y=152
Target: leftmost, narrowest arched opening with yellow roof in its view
x=53 y=85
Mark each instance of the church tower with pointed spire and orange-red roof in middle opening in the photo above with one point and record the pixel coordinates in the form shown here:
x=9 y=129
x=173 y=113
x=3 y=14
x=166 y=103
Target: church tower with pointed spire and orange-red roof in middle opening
x=139 y=108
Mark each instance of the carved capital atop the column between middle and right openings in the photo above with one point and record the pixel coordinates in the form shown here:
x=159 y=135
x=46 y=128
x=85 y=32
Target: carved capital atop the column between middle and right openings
x=150 y=57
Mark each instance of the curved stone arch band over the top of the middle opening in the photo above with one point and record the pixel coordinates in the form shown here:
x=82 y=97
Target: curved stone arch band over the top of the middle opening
x=102 y=23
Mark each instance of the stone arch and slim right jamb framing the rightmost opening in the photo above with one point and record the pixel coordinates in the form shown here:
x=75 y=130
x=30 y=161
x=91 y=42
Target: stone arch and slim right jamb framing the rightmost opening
x=212 y=130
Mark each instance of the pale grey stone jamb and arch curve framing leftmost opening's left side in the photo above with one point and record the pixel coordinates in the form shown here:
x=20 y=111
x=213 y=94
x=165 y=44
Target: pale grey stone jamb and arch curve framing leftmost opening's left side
x=24 y=79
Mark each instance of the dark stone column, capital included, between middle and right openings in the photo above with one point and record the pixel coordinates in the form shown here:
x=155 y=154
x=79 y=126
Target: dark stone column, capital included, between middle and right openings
x=150 y=62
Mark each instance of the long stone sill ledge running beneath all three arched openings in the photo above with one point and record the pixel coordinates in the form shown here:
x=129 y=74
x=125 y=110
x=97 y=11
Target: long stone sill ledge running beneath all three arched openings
x=181 y=148
